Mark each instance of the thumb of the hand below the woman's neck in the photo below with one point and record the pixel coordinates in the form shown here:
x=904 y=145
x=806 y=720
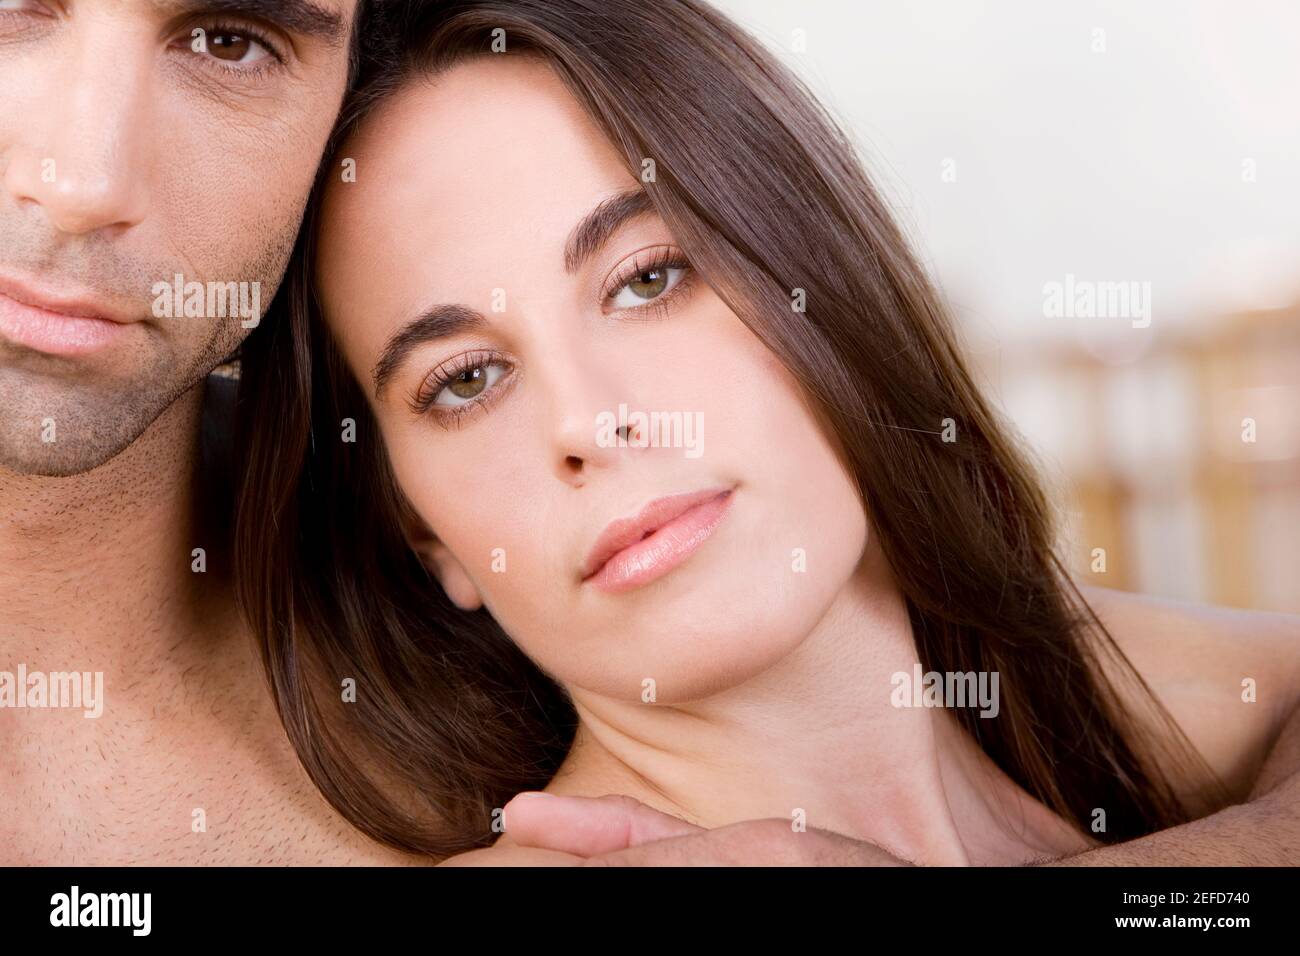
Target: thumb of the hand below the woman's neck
x=588 y=827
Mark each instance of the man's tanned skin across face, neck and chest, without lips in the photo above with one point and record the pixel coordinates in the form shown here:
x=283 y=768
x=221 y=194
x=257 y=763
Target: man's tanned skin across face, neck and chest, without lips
x=164 y=163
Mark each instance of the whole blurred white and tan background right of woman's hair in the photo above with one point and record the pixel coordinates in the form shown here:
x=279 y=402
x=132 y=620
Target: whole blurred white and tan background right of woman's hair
x=1110 y=197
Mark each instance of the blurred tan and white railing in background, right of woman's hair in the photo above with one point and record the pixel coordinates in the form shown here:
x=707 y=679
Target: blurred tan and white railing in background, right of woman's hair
x=1181 y=465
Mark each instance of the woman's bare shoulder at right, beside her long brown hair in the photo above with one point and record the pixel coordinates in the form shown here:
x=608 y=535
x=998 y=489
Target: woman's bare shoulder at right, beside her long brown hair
x=1230 y=678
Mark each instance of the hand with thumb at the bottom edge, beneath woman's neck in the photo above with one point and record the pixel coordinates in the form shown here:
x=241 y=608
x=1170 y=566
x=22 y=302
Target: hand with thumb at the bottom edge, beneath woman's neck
x=622 y=832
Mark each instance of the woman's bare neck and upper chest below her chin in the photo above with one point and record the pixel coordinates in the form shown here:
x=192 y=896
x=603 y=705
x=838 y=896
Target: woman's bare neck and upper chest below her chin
x=818 y=739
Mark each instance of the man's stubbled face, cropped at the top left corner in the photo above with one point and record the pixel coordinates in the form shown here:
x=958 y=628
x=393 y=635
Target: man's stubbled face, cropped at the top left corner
x=144 y=141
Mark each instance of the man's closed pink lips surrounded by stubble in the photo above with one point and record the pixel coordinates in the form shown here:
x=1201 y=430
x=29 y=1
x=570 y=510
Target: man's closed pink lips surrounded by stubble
x=57 y=323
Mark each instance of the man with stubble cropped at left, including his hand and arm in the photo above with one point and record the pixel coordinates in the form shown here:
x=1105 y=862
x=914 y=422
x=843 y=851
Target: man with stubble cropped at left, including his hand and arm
x=155 y=159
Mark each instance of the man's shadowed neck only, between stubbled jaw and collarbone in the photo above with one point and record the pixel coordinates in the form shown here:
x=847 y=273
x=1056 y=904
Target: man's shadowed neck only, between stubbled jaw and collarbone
x=96 y=566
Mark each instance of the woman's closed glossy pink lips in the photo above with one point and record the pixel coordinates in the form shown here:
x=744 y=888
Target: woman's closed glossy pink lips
x=632 y=552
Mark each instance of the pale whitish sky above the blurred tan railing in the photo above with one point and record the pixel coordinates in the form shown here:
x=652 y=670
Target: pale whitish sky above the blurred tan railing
x=1117 y=166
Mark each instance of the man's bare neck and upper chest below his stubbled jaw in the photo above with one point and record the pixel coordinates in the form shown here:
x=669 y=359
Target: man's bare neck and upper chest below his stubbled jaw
x=98 y=574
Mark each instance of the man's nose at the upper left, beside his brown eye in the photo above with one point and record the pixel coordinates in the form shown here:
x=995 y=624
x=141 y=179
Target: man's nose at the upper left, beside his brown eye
x=81 y=152
